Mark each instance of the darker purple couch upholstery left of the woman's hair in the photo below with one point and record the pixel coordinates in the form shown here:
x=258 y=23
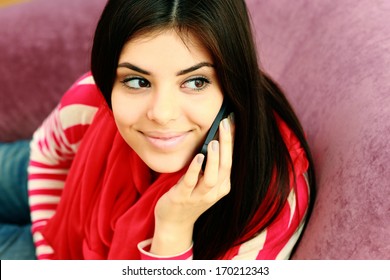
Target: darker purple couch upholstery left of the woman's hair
x=44 y=47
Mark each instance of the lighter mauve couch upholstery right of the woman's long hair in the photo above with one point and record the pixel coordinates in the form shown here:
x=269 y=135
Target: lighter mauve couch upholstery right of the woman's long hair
x=333 y=60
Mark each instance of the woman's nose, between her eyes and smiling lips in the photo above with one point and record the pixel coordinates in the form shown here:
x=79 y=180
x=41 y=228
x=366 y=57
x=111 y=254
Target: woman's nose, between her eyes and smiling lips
x=164 y=106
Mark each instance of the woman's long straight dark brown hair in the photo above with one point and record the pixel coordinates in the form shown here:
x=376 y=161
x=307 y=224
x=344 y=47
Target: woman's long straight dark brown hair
x=224 y=29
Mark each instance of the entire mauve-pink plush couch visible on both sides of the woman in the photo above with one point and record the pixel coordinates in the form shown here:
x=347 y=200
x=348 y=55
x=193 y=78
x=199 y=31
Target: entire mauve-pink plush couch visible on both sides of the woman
x=331 y=57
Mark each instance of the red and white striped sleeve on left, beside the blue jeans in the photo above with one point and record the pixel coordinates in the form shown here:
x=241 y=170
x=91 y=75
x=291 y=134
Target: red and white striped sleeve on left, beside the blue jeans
x=53 y=148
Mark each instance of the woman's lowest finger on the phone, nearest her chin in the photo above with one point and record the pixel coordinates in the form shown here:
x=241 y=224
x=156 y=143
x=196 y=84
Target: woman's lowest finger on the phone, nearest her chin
x=191 y=177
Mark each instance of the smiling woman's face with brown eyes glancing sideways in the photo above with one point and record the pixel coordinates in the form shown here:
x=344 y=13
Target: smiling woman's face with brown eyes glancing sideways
x=165 y=98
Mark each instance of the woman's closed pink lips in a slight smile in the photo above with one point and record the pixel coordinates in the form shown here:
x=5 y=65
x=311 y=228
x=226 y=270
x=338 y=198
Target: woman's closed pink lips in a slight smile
x=164 y=140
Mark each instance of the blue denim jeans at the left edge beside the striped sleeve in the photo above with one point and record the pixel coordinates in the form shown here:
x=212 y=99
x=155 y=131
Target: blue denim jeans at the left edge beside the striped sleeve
x=15 y=225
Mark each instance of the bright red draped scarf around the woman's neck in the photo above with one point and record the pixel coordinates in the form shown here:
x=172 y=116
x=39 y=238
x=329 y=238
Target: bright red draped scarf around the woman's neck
x=107 y=205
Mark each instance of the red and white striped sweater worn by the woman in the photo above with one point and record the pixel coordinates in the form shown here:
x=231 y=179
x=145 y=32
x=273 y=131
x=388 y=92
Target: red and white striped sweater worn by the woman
x=55 y=144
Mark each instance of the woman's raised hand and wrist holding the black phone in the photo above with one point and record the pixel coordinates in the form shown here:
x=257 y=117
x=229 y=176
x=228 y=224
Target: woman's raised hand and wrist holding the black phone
x=177 y=210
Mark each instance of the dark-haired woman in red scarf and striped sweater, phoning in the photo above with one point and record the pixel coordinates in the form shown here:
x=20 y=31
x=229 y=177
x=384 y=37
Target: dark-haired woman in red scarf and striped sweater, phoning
x=122 y=148
